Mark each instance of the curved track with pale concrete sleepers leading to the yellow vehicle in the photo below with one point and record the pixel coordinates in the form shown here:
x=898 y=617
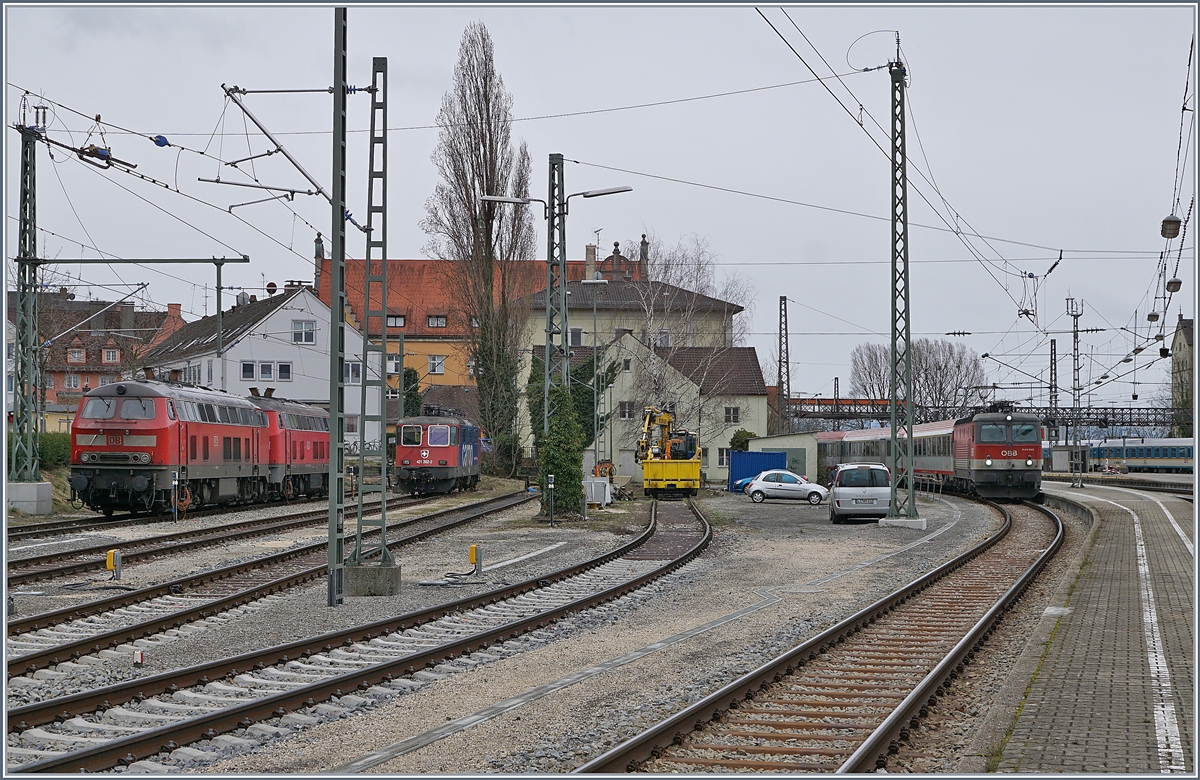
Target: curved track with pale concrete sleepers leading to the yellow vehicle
x=157 y=716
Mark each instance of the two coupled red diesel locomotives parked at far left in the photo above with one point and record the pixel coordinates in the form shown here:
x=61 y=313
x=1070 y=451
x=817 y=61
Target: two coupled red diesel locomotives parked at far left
x=130 y=439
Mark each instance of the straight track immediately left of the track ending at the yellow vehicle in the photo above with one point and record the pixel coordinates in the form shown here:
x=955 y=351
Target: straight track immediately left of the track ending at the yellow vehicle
x=67 y=635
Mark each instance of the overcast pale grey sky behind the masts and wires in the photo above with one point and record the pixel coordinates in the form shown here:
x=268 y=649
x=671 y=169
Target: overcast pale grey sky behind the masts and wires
x=1045 y=128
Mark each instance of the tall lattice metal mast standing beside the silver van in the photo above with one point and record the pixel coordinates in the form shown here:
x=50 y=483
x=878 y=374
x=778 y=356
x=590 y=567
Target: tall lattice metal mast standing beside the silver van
x=902 y=357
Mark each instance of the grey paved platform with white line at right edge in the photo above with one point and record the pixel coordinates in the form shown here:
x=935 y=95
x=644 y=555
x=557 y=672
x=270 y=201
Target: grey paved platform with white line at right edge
x=1114 y=691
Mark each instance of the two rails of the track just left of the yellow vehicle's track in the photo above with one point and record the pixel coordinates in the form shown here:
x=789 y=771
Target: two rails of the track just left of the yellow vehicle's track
x=73 y=651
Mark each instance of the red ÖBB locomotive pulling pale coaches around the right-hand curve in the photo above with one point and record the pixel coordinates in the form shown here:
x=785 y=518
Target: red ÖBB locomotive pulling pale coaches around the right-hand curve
x=991 y=454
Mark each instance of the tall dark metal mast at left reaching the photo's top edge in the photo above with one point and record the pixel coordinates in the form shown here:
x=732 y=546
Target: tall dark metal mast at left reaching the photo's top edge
x=338 y=327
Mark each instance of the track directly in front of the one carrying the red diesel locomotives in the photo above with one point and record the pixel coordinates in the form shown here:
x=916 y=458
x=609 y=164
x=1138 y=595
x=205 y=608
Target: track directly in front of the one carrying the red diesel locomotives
x=93 y=559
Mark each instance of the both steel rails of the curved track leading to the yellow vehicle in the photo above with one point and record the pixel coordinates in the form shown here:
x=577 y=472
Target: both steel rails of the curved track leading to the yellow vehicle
x=127 y=751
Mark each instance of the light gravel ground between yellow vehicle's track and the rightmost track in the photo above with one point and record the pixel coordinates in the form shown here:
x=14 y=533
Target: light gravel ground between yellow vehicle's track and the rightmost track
x=787 y=557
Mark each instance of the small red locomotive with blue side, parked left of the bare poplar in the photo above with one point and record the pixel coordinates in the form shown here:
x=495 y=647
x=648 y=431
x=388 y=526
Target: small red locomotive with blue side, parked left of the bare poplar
x=437 y=454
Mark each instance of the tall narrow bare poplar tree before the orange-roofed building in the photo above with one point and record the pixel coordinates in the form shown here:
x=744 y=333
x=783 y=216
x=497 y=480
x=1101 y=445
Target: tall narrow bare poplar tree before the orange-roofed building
x=490 y=245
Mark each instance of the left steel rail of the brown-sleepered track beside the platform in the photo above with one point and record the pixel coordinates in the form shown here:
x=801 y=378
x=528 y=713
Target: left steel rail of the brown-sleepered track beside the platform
x=647 y=745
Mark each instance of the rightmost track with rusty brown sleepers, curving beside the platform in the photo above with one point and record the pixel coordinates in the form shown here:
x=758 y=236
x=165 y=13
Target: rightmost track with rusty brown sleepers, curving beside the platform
x=844 y=700
